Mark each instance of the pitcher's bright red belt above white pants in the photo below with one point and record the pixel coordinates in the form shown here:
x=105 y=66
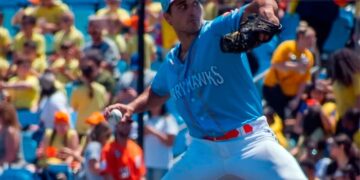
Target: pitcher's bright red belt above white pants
x=243 y=130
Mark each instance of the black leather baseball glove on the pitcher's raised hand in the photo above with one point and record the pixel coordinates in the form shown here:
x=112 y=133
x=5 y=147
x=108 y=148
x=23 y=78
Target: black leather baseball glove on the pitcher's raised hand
x=248 y=35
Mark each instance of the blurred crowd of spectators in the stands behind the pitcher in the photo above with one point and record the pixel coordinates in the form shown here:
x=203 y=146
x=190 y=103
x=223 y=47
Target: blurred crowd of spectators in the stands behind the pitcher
x=311 y=94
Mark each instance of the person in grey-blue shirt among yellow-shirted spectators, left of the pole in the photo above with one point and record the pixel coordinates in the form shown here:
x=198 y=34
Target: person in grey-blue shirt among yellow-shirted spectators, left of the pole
x=106 y=46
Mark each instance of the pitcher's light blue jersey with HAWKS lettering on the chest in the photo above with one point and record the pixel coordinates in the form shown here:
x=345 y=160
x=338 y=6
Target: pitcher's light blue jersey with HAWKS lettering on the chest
x=213 y=91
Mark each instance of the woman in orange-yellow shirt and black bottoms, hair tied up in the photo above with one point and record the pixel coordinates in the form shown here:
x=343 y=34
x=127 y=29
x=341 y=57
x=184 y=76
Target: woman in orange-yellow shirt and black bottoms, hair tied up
x=289 y=73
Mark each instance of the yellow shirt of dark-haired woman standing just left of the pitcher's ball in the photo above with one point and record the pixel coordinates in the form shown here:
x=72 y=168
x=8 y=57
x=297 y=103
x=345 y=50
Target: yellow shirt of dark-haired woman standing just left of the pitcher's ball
x=85 y=106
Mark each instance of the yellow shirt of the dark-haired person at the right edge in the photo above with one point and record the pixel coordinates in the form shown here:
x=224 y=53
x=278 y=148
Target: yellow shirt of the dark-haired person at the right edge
x=346 y=95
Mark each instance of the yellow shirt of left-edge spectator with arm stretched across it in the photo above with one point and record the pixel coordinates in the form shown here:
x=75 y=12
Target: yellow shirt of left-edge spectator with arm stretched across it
x=25 y=98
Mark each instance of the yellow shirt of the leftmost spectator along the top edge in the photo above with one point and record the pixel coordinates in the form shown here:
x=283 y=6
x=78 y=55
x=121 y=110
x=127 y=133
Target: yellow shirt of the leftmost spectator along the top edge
x=51 y=15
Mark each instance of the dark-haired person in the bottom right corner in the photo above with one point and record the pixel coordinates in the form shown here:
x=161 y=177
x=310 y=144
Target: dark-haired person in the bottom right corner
x=345 y=164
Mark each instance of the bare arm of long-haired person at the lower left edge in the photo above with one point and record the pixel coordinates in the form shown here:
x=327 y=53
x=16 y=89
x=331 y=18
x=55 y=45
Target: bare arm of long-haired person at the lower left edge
x=12 y=145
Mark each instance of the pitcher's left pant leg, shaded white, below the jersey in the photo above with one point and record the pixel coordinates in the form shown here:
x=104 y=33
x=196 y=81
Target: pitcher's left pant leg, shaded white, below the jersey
x=199 y=162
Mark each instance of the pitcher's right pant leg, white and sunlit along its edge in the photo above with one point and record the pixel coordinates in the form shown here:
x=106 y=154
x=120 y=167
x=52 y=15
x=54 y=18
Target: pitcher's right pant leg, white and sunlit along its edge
x=262 y=157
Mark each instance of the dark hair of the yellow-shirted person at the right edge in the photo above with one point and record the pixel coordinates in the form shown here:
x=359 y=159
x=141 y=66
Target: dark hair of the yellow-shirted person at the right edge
x=345 y=63
